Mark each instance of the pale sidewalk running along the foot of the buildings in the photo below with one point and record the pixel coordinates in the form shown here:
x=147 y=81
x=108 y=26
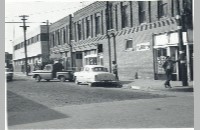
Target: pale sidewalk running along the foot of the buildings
x=140 y=84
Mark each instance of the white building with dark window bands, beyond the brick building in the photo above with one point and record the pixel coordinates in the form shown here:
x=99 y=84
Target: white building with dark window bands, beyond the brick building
x=37 y=49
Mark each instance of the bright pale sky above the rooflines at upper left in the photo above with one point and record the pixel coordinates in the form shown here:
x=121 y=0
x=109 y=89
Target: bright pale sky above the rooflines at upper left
x=38 y=11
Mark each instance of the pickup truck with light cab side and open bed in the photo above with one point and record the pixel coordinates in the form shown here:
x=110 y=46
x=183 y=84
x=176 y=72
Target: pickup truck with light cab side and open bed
x=48 y=74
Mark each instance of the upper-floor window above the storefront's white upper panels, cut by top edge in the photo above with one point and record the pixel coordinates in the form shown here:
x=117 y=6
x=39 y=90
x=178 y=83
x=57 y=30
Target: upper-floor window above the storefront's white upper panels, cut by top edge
x=162 y=8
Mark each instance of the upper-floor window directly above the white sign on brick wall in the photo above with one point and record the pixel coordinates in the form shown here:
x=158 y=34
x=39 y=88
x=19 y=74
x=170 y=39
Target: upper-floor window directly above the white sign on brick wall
x=142 y=17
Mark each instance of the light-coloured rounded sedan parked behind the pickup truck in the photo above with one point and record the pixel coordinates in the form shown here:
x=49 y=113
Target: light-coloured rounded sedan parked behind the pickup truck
x=91 y=74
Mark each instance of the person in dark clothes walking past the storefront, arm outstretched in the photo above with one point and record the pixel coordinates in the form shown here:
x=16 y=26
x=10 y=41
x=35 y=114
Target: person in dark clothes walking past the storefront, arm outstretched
x=168 y=67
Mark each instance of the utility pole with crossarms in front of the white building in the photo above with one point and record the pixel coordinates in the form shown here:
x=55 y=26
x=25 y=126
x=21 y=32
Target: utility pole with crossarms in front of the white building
x=25 y=47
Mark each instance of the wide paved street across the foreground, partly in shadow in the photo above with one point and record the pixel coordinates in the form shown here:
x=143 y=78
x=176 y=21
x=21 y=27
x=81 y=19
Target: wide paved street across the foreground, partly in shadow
x=67 y=105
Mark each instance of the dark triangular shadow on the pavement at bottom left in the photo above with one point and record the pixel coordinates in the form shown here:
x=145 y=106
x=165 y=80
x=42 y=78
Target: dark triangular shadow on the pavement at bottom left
x=22 y=111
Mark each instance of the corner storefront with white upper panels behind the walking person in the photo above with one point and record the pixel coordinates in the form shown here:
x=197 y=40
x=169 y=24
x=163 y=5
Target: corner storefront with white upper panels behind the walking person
x=166 y=44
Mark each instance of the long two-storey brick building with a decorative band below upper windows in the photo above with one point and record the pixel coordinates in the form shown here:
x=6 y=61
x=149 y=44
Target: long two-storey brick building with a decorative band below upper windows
x=136 y=34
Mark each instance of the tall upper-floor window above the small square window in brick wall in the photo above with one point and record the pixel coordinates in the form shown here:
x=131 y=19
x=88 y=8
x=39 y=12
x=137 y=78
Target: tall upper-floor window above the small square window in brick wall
x=124 y=16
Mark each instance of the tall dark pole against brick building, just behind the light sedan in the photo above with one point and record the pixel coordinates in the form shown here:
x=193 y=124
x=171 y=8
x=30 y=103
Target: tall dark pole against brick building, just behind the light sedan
x=107 y=34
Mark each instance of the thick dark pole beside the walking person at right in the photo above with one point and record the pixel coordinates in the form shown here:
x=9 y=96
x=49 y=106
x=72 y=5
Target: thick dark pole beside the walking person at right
x=181 y=49
